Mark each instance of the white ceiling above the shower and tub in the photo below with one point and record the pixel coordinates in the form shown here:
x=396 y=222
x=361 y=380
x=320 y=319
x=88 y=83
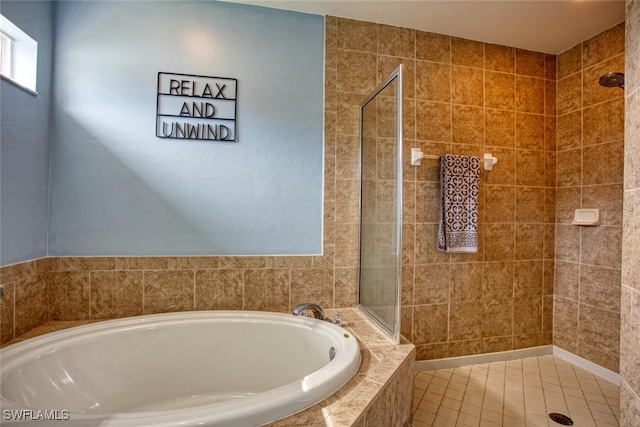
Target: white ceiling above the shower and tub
x=548 y=26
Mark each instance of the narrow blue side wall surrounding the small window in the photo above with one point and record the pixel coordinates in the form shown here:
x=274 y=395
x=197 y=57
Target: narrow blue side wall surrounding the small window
x=24 y=142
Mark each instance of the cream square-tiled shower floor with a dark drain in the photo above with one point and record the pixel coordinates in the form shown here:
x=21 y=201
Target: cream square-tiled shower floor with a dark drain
x=514 y=393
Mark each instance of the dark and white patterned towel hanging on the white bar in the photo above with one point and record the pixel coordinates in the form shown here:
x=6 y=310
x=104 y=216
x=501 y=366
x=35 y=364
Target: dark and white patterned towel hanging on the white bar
x=460 y=178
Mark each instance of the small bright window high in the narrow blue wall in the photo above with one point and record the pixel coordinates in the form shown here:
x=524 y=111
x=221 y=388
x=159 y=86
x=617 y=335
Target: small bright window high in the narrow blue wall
x=18 y=56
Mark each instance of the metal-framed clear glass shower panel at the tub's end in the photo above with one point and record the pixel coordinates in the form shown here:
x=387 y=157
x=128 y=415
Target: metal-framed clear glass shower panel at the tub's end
x=380 y=263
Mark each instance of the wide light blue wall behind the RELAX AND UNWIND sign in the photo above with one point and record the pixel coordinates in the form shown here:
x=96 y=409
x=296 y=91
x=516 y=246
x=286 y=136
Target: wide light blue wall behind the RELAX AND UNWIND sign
x=117 y=189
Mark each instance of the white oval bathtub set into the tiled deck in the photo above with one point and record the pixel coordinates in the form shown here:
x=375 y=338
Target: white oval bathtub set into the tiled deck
x=214 y=368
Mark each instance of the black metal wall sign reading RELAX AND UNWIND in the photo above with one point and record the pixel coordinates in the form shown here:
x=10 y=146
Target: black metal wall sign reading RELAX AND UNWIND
x=196 y=107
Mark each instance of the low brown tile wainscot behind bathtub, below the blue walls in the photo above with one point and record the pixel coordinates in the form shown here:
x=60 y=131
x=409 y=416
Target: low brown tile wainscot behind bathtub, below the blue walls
x=86 y=288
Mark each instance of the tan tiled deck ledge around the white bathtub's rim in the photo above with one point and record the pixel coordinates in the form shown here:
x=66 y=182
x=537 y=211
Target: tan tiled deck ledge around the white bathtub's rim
x=380 y=394
